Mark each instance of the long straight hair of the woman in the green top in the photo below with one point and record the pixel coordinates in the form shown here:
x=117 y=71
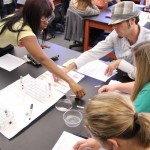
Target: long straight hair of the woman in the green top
x=142 y=60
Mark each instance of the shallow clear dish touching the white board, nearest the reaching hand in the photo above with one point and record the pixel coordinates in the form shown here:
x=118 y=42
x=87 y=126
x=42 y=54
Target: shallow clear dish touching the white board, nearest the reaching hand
x=63 y=105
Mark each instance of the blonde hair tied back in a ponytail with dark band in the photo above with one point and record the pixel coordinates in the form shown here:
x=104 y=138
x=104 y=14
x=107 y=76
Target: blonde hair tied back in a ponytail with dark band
x=112 y=115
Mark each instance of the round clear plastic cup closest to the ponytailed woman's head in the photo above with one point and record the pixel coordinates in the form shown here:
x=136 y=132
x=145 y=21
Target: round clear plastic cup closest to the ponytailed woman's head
x=72 y=118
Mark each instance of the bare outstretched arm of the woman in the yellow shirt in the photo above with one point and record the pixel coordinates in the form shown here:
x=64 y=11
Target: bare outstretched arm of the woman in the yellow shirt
x=35 y=50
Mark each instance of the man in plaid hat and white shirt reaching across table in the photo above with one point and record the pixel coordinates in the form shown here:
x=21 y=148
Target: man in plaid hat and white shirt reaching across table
x=126 y=34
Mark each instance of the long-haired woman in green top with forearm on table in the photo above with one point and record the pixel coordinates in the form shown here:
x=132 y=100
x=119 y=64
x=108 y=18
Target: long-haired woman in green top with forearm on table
x=140 y=89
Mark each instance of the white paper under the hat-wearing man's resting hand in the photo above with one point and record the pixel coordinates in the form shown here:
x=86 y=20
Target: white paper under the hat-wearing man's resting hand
x=95 y=69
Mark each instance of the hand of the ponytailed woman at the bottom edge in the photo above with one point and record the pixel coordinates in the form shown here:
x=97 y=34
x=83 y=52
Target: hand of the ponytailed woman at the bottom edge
x=89 y=143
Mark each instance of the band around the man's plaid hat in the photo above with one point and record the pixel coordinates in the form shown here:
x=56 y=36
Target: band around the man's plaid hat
x=125 y=16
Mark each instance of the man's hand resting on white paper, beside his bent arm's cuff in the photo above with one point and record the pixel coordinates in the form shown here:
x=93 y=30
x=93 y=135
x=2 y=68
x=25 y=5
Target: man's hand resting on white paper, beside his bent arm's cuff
x=112 y=66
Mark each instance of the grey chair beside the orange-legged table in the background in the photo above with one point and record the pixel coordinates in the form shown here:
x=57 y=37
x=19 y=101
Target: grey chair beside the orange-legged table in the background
x=74 y=28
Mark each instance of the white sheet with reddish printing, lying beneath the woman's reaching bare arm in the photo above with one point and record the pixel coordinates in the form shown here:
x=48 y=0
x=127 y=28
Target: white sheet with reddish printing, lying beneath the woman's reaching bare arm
x=61 y=85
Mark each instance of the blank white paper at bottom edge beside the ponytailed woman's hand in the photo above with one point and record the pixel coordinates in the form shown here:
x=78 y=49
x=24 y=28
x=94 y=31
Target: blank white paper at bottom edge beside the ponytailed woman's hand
x=66 y=141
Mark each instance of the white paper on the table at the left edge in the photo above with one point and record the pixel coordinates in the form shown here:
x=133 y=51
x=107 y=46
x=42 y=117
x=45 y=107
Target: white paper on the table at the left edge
x=10 y=62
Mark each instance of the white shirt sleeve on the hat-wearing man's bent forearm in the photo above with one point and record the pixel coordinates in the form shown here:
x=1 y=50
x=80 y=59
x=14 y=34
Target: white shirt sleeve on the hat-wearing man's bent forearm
x=128 y=68
